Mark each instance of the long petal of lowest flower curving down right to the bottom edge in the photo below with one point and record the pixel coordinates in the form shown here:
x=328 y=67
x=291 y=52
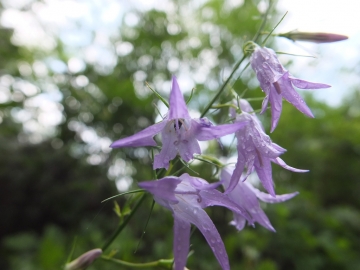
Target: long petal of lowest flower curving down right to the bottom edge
x=202 y=221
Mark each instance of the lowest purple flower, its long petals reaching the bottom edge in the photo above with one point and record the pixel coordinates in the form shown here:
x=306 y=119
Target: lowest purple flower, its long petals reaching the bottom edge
x=186 y=196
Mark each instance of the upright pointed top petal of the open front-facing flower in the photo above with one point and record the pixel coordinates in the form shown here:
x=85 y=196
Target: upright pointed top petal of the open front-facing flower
x=177 y=105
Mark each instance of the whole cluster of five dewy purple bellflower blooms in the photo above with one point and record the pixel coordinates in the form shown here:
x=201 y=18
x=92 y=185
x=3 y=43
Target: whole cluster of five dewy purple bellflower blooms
x=187 y=196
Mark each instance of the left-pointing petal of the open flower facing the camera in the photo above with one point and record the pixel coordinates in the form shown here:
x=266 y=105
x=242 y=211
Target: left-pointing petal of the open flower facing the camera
x=142 y=138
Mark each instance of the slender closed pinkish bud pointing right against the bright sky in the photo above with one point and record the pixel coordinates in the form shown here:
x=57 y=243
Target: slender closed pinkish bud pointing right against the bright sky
x=313 y=37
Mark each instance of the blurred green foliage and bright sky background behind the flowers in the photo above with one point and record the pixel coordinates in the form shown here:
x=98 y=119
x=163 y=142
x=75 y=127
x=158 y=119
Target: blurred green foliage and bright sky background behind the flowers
x=72 y=80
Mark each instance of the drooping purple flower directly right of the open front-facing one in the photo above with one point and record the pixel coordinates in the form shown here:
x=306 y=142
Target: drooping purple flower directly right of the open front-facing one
x=256 y=151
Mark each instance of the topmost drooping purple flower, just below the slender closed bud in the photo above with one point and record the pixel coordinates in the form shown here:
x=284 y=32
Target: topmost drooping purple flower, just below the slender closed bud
x=277 y=83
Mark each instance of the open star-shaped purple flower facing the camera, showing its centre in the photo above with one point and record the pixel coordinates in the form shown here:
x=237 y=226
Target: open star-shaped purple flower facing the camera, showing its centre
x=180 y=133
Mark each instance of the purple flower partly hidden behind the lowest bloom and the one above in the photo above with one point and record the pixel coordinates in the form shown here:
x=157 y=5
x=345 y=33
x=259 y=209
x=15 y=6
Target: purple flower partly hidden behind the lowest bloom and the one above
x=246 y=196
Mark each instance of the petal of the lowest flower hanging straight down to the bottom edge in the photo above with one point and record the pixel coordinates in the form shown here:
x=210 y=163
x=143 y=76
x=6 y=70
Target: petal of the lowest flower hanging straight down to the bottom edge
x=181 y=242
